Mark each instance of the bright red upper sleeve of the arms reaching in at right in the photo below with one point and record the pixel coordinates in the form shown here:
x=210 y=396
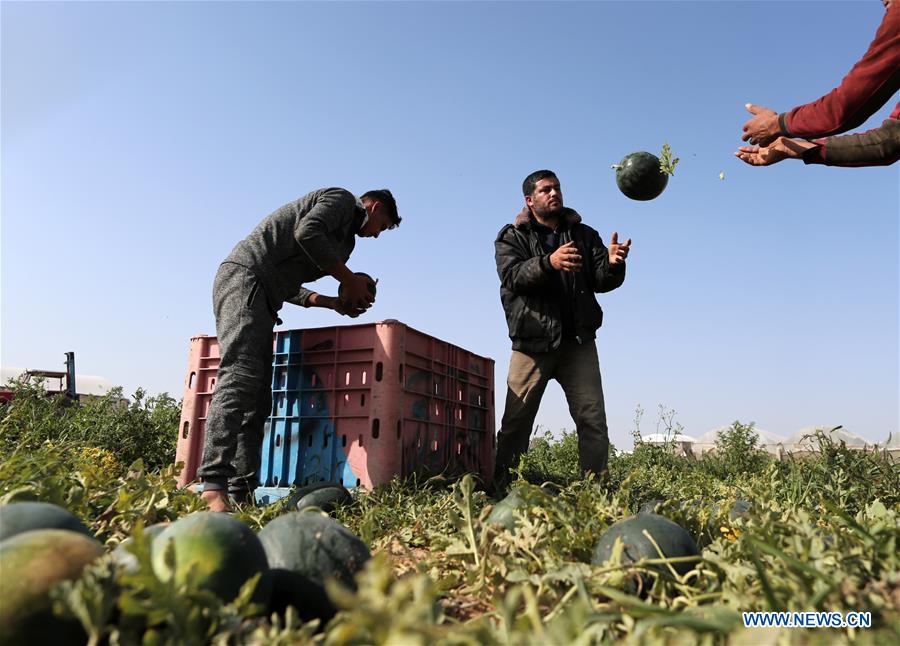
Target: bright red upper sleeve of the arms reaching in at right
x=867 y=87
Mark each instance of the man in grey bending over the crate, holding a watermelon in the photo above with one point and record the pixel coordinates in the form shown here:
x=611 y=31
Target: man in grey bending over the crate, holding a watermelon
x=299 y=243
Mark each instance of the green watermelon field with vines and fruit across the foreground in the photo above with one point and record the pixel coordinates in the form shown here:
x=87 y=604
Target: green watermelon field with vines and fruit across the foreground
x=448 y=565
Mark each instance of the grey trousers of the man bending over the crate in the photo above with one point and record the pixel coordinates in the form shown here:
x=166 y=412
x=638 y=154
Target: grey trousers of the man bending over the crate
x=242 y=400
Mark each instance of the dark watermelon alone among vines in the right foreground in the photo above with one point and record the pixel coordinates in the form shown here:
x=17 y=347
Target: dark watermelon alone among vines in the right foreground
x=672 y=539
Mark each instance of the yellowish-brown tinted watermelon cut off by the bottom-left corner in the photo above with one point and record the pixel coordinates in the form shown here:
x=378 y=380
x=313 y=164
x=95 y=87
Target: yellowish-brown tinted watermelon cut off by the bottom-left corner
x=31 y=563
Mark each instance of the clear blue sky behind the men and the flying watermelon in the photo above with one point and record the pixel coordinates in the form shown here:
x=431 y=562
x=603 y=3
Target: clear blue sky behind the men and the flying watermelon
x=141 y=141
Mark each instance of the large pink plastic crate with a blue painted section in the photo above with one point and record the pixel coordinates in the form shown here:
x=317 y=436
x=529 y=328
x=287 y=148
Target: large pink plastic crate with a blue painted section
x=358 y=404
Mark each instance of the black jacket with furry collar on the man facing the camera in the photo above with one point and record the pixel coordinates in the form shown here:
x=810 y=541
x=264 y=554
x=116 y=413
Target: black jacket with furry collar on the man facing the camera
x=529 y=286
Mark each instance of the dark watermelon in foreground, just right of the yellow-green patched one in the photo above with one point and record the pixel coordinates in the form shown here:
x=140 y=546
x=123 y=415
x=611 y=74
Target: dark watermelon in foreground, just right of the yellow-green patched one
x=308 y=549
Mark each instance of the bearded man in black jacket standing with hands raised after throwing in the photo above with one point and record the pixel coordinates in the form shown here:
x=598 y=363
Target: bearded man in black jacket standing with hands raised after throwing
x=550 y=266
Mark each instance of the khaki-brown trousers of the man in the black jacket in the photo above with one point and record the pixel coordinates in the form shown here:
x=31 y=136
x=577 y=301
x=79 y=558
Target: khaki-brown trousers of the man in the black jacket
x=576 y=367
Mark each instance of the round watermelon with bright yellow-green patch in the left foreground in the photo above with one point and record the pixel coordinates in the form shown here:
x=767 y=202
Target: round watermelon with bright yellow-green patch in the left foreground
x=223 y=552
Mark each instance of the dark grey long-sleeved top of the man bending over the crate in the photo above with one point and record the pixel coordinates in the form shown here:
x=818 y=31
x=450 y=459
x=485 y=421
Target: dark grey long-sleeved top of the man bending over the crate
x=299 y=241
